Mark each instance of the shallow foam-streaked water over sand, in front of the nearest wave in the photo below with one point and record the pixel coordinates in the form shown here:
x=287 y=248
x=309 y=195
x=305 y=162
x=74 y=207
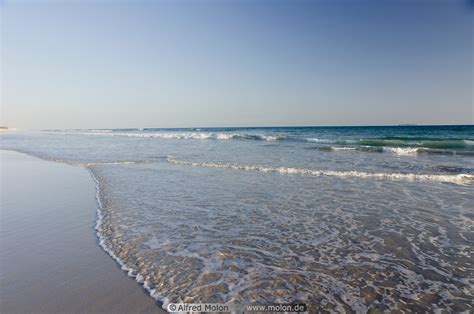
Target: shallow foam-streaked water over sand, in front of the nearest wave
x=219 y=236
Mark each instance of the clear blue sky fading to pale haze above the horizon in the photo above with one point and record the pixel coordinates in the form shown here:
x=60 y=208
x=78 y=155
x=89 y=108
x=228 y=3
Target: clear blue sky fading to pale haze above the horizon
x=119 y=64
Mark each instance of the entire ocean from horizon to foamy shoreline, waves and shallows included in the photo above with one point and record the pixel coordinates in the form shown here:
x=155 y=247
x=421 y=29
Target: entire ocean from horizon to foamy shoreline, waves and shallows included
x=342 y=218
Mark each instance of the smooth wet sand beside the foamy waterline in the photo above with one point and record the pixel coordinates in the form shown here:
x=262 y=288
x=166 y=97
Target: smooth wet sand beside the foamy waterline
x=50 y=260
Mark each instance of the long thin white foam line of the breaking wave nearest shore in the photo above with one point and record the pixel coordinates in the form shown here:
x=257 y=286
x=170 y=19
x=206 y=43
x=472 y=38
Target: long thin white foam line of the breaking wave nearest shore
x=461 y=179
